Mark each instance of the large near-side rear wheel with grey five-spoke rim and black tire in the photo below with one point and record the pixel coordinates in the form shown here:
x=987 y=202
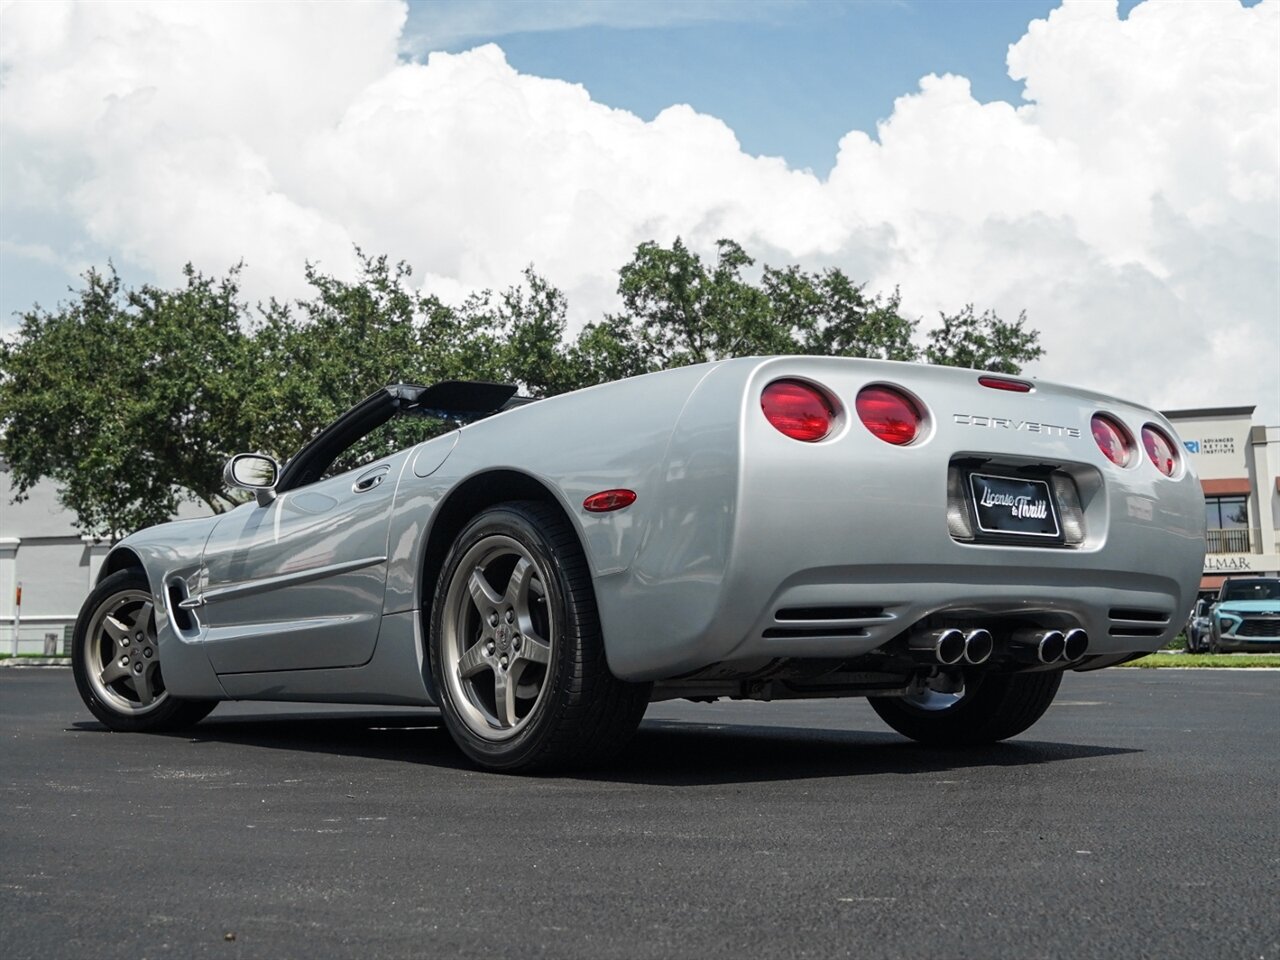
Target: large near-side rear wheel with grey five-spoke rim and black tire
x=516 y=650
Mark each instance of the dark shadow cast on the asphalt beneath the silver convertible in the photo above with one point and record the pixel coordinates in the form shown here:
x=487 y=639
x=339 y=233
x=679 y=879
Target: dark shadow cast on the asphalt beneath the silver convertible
x=664 y=753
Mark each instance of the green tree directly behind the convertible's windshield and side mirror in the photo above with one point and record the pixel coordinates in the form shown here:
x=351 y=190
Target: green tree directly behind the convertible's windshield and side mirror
x=319 y=355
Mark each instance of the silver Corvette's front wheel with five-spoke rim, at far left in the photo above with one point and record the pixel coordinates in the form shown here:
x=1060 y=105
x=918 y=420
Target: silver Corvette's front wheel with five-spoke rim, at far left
x=116 y=660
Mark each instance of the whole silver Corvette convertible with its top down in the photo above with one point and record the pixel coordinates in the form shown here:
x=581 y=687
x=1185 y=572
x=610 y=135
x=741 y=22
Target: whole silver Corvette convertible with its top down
x=944 y=542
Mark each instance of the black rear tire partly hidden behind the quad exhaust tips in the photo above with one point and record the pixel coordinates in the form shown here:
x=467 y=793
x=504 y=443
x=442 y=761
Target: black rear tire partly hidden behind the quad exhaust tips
x=993 y=708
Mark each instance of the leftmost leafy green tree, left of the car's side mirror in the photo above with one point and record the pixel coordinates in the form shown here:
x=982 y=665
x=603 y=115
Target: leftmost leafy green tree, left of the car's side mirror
x=125 y=399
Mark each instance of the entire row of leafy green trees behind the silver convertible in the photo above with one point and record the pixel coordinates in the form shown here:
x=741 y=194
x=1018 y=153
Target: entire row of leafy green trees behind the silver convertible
x=131 y=401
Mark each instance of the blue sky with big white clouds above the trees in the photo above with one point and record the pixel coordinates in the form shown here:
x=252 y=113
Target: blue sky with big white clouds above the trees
x=1112 y=170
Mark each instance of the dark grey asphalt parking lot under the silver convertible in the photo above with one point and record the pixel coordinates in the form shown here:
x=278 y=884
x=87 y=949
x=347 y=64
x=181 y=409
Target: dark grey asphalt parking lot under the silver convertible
x=1137 y=820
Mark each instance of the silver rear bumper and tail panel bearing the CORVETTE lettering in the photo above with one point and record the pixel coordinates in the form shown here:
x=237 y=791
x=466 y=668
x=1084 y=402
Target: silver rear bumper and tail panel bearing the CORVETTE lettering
x=770 y=548
